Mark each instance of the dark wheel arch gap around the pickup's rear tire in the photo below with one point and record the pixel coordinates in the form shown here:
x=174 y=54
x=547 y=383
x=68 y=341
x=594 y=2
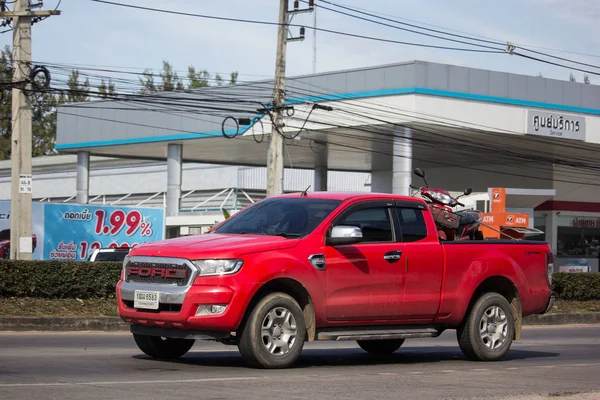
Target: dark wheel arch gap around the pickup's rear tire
x=505 y=287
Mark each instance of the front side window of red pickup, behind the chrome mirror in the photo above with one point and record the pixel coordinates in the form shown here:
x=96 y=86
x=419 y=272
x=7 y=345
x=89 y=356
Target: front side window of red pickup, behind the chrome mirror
x=374 y=222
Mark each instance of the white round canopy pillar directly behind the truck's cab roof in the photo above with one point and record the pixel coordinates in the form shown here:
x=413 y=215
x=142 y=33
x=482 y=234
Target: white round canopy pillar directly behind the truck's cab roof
x=402 y=162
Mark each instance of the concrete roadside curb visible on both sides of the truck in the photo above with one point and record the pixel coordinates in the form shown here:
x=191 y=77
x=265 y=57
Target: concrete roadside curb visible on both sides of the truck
x=115 y=324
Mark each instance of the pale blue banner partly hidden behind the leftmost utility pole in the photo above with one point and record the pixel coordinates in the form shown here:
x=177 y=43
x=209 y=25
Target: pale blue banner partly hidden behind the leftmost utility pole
x=37 y=225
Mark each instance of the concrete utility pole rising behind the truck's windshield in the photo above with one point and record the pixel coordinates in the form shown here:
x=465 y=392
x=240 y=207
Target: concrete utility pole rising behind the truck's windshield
x=275 y=155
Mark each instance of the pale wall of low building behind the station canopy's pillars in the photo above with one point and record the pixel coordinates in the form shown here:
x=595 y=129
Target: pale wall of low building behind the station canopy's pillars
x=151 y=178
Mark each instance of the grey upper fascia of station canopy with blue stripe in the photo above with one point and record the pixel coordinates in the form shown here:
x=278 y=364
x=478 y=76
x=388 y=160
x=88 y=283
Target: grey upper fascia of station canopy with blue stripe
x=96 y=121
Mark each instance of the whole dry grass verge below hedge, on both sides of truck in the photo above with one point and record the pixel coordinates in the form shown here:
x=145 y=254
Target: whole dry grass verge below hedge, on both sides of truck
x=34 y=307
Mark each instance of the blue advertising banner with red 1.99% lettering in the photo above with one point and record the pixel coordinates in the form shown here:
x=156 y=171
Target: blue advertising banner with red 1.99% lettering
x=72 y=232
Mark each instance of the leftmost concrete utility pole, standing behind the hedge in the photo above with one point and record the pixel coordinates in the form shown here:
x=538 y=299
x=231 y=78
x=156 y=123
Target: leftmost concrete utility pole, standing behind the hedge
x=21 y=182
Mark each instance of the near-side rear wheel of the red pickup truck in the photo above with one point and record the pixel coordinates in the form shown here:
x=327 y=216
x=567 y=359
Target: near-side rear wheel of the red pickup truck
x=473 y=345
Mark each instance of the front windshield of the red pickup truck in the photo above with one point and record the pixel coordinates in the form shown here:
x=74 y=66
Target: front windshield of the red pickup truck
x=289 y=217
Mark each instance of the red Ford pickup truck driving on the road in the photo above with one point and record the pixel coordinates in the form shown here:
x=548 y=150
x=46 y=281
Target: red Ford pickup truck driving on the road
x=331 y=266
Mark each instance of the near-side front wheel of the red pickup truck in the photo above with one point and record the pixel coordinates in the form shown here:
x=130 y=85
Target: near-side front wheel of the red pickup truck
x=253 y=346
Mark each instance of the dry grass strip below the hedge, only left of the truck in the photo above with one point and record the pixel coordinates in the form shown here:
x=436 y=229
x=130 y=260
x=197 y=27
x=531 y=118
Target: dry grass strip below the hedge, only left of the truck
x=34 y=307
